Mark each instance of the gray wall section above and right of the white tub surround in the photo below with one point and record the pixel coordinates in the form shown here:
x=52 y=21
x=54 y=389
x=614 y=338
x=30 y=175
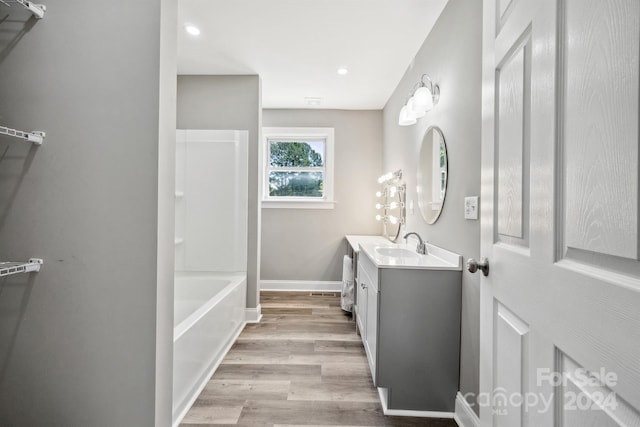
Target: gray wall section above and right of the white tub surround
x=229 y=102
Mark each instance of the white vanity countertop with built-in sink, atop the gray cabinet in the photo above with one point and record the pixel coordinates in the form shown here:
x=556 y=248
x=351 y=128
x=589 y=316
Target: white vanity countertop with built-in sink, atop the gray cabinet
x=435 y=259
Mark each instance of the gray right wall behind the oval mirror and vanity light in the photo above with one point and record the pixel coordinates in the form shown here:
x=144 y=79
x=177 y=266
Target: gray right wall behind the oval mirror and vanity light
x=451 y=55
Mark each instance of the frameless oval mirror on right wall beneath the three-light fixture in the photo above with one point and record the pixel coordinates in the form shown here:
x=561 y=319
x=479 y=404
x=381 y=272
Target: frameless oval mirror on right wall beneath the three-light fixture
x=432 y=174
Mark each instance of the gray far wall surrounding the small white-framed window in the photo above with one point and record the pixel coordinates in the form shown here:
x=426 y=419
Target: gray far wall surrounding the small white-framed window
x=308 y=244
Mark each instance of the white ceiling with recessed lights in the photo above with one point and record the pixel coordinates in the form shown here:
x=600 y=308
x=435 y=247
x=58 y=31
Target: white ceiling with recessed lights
x=296 y=46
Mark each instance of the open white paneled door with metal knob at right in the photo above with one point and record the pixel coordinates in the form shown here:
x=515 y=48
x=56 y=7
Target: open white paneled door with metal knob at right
x=560 y=308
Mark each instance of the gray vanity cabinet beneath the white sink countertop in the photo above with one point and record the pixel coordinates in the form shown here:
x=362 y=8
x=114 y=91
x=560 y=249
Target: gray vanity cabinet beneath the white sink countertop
x=411 y=334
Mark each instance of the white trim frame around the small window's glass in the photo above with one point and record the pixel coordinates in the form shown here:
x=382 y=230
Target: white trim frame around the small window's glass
x=327 y=201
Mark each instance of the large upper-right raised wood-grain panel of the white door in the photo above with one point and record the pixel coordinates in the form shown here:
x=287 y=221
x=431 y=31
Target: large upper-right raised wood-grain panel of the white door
x=600 y=41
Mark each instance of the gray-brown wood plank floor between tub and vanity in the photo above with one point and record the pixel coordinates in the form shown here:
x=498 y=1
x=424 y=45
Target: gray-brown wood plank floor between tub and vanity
x=302 y=365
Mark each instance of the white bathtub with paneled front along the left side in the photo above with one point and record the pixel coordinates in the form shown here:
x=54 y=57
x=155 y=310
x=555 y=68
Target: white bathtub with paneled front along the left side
x=209 y=314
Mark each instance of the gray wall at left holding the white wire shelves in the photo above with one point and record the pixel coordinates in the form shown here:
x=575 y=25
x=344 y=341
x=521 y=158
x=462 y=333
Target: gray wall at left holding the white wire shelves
x=78 y=340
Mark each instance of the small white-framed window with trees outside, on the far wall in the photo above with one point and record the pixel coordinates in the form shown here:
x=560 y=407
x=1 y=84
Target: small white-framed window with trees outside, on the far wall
x=298 y=168
